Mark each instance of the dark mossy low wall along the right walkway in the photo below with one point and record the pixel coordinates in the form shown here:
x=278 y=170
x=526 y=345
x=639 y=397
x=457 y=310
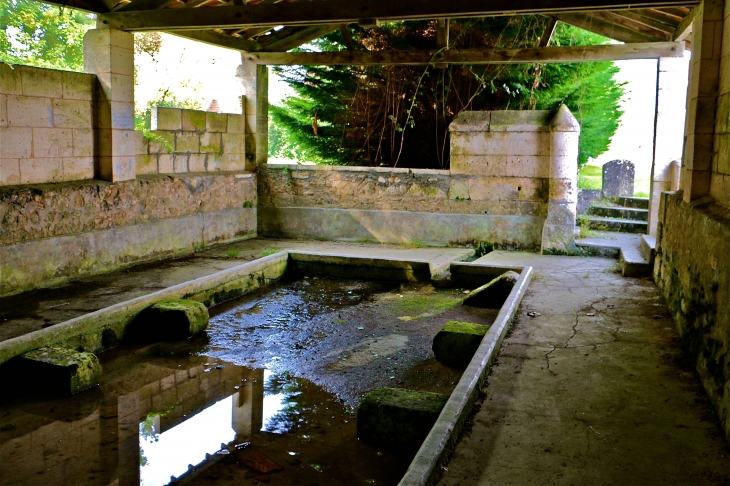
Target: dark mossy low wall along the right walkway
x=692 y=269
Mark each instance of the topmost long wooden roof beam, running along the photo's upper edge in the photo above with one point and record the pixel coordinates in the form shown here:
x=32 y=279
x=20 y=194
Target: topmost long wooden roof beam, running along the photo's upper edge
x=350 y=11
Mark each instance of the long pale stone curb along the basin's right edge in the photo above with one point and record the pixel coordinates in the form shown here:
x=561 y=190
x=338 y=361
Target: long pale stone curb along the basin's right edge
x=425 y=468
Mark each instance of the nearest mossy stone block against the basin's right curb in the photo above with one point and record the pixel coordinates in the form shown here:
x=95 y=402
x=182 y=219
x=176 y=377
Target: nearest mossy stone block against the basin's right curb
x=396 y=417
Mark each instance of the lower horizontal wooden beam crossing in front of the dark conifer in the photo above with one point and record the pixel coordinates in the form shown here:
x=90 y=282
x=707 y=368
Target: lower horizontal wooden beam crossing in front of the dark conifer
x=611 y=52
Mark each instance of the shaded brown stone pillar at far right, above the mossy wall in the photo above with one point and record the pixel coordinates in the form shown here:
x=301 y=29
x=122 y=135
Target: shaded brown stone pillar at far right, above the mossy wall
x=702 y=94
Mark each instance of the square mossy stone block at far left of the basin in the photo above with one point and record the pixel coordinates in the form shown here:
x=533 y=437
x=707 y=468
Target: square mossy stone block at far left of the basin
x=62 y=371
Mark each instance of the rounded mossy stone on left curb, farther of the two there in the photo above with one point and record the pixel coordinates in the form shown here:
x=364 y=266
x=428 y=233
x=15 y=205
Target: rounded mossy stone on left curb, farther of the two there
x=169 y=320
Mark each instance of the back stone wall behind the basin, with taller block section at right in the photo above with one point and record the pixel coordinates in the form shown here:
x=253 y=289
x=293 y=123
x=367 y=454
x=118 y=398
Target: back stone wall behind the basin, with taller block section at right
x=498 y=190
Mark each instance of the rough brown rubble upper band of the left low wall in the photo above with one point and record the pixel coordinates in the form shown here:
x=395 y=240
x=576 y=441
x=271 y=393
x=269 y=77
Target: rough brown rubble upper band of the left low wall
x=30 y=213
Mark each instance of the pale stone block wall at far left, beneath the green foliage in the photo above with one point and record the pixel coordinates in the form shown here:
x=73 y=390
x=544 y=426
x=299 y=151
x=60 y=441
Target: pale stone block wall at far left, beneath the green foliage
x=46 y=125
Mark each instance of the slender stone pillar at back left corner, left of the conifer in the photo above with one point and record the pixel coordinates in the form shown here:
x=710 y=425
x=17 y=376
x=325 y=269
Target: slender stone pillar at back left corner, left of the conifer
x=255 y=81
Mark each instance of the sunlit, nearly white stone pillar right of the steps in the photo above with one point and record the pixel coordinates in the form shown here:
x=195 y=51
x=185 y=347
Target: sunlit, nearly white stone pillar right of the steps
x=668 y=129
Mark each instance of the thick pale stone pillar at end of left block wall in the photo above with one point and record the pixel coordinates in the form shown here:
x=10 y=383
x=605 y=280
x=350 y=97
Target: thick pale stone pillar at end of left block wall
x=109 y=54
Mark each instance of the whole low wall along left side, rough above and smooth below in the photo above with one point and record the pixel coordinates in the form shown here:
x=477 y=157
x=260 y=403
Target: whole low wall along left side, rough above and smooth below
x=50 y=233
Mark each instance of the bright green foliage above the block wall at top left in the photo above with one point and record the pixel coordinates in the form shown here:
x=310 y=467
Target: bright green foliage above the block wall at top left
x=42 y=35
